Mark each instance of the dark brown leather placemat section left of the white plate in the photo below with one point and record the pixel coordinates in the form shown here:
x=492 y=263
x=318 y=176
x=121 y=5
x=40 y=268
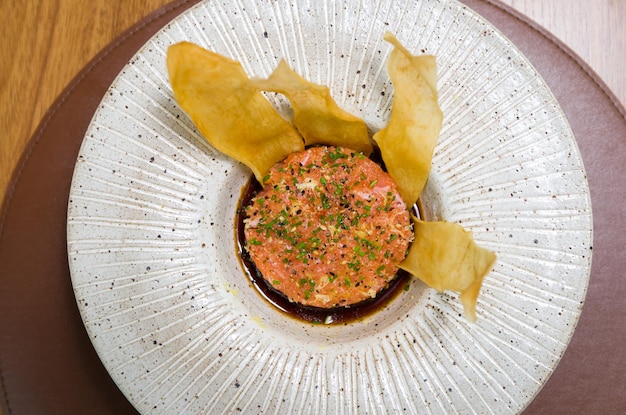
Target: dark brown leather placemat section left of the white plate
x=47 y=362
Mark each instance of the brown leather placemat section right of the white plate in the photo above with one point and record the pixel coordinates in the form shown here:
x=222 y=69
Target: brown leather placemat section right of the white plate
x=591 y=377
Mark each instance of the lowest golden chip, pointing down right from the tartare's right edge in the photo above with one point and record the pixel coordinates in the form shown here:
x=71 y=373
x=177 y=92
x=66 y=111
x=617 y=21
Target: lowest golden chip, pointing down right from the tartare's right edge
x=445 y=257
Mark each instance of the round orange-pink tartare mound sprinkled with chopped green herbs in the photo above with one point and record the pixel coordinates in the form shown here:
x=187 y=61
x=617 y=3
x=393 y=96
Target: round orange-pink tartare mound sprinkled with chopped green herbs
x=328 y=228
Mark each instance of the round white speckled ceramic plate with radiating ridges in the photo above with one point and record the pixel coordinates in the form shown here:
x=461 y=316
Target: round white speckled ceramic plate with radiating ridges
x=152 y=246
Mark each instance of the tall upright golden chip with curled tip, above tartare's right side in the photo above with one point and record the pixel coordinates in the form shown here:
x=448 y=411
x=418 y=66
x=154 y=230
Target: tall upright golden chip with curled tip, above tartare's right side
x=407 y=143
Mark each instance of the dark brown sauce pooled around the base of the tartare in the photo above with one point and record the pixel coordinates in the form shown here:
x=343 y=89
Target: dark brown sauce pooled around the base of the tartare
x=315 y=315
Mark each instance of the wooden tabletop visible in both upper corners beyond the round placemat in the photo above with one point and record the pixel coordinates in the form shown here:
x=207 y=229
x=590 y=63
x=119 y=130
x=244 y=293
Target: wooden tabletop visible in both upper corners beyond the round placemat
x=43 y=44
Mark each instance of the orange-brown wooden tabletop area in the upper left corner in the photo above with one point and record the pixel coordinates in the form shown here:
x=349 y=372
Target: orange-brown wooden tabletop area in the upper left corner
x=43 y=45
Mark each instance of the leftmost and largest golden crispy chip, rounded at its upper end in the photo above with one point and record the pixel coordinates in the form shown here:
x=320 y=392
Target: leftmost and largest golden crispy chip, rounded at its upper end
x=233 y=116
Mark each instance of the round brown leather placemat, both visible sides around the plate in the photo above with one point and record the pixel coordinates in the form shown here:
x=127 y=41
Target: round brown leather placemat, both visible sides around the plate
x=47 y=363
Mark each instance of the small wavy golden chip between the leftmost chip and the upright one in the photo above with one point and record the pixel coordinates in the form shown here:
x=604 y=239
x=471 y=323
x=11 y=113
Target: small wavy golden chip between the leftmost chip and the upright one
x=316 y=115
